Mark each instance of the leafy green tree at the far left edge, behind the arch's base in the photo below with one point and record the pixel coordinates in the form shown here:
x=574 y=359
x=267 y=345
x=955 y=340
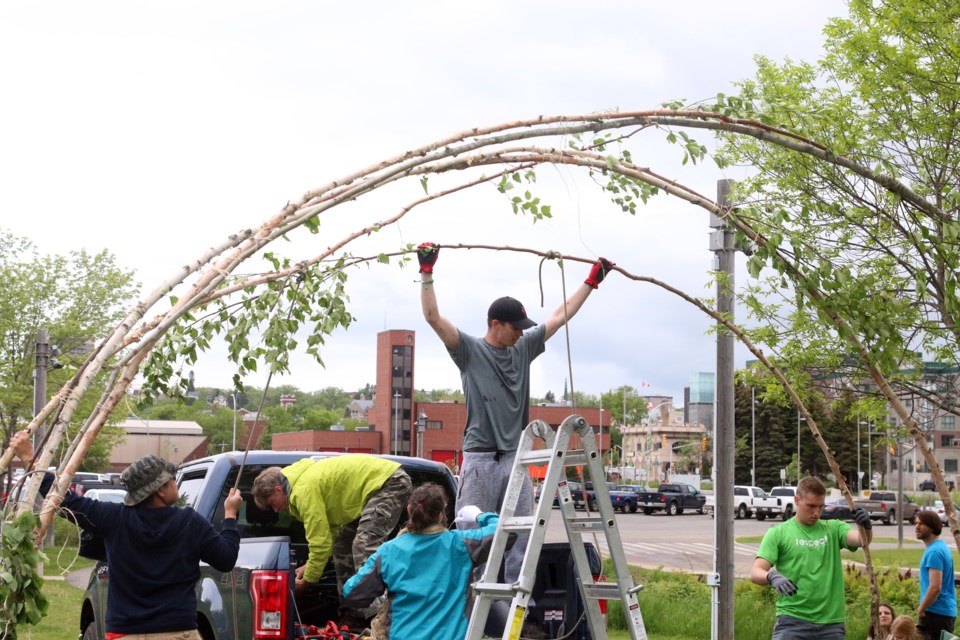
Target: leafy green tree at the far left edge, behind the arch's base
x=77 y=298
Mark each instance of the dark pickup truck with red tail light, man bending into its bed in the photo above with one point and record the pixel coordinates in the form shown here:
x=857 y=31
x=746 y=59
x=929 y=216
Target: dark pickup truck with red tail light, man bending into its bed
x=255 y=599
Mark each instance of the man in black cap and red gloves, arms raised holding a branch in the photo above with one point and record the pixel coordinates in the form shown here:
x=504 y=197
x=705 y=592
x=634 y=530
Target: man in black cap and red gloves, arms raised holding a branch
x=495 y=373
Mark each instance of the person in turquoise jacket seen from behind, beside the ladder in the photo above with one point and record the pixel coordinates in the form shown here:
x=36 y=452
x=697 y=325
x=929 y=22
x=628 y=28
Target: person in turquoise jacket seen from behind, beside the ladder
x=426 y=571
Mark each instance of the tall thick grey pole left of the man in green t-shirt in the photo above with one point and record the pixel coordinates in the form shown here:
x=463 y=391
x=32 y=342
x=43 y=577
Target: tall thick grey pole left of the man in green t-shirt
x=722 y=579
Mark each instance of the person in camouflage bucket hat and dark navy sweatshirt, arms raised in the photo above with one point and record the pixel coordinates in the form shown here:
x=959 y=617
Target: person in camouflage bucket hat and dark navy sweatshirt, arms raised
x=153 y=547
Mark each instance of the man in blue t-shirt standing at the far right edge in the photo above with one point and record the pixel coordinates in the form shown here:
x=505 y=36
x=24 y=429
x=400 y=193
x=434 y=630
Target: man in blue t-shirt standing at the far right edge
x=938 y=594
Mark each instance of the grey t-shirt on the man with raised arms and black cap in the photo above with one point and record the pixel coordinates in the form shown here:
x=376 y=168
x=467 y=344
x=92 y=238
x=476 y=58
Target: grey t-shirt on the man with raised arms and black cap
x=496 y=383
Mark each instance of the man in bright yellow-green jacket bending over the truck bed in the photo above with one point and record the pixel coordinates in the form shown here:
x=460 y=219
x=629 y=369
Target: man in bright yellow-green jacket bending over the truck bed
x=348 y=505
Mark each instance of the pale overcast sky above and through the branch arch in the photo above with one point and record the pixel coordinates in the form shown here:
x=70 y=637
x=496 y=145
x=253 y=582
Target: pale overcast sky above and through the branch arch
x=156 y=129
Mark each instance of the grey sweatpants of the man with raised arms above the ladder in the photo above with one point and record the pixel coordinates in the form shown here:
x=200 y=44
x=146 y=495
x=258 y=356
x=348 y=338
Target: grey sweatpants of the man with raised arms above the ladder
x=483 y=482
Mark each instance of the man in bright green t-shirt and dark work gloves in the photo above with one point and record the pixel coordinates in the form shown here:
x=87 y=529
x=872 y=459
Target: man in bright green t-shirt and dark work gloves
x=808 y=574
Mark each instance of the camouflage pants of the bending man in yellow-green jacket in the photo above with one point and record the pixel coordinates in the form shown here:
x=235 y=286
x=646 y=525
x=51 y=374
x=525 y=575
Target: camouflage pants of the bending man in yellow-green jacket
x=358 y=540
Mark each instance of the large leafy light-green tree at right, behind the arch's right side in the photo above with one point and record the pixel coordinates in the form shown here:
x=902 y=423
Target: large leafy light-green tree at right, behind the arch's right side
x=874 y=232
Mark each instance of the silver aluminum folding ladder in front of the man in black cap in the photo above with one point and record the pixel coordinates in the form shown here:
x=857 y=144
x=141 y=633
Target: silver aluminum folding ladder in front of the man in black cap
x=557 y=455
